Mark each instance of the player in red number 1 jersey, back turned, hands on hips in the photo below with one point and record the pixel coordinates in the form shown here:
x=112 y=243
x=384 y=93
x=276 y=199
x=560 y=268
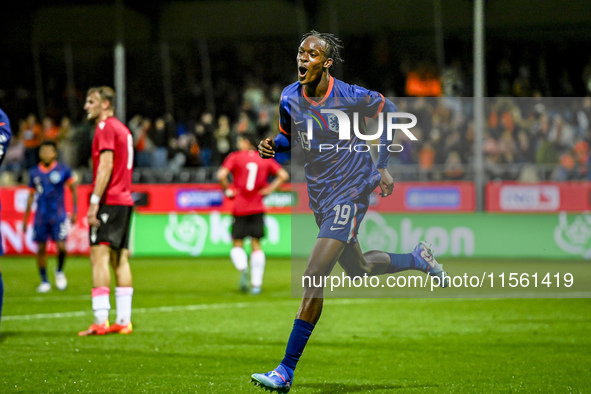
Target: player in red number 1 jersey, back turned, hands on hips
x=250 y=173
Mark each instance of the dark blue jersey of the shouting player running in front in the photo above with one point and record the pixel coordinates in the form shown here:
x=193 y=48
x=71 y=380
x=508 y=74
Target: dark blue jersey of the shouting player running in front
x=337 y=170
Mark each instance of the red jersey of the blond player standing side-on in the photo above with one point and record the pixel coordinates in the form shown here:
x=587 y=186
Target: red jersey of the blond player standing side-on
x=113 y=135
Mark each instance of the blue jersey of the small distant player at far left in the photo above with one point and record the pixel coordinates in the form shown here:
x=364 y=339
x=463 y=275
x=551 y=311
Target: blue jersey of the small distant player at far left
x=49 y=184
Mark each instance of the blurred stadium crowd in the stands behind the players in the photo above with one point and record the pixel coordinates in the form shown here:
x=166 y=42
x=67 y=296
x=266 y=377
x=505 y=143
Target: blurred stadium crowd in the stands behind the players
x=529 y=135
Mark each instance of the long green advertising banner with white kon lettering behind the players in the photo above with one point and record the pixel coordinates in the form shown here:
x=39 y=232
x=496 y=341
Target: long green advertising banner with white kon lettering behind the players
x=554 y=236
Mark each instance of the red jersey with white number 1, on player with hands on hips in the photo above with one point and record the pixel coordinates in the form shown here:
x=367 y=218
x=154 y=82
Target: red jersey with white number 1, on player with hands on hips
x=250 y=173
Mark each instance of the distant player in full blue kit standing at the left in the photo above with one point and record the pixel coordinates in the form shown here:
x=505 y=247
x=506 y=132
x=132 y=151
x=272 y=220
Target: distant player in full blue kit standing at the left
x=48 y=181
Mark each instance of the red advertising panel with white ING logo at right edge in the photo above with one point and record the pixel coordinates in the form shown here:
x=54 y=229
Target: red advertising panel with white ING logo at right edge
x=538 y=197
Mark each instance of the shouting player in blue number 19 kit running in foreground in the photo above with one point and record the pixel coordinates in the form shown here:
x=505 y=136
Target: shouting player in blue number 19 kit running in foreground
x=341 y=176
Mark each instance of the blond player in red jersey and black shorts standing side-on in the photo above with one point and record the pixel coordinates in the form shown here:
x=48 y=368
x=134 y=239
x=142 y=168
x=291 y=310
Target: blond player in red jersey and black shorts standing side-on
x=109 y=213
